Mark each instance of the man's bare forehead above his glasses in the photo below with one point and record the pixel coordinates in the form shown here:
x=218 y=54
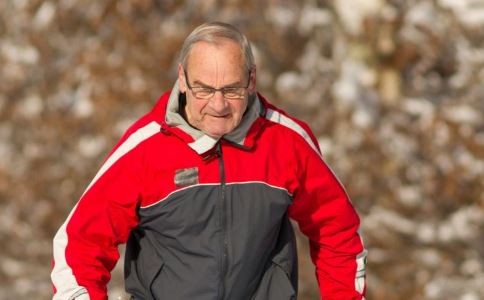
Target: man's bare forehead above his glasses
x=223 y=55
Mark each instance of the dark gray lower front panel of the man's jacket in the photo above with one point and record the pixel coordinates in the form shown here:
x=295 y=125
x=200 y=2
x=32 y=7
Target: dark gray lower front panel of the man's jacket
x=193 y=246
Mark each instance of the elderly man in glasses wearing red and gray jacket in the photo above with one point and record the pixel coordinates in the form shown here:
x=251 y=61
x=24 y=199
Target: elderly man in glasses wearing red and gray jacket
x=202 y=189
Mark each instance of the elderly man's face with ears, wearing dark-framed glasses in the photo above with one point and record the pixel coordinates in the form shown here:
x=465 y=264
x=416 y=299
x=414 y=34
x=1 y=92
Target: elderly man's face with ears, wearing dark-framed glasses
x=215 y=66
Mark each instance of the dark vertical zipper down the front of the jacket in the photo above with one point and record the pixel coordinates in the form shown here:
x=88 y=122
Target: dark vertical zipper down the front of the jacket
x=223 y=222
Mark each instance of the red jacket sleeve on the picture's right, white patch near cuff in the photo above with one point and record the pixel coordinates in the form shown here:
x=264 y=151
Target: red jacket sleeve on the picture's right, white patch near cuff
x=325 y=214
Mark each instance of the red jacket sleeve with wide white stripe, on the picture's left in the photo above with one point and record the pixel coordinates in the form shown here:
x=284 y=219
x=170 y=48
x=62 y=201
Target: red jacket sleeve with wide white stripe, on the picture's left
x=85 y=247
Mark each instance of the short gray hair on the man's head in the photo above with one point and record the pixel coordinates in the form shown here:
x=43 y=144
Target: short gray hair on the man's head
x=212 y=32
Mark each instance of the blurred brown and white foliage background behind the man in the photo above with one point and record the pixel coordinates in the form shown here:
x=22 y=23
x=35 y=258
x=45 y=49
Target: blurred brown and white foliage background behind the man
x=393 y=90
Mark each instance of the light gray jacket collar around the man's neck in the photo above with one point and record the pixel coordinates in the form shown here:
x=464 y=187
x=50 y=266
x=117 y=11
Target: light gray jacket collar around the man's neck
x=202 y=142
